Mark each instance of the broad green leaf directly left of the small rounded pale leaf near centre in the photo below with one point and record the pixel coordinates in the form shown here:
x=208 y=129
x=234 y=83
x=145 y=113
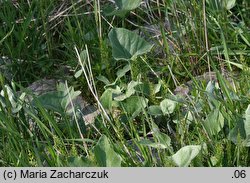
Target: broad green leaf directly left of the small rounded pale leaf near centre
x=134 y=105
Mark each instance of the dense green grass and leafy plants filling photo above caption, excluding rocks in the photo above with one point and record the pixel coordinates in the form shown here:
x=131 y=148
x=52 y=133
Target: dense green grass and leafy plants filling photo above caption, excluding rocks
x=170 y=79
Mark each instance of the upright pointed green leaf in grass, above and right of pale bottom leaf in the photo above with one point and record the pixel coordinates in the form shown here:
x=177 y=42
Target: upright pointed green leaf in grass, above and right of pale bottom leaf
x=214 y=122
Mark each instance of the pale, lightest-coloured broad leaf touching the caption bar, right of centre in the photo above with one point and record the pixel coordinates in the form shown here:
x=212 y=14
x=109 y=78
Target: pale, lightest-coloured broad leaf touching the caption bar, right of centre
x=185 y=155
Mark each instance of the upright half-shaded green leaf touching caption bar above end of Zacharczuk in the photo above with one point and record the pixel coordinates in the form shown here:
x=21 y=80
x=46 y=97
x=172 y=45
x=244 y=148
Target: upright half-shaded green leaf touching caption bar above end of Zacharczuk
x=105 y=154
